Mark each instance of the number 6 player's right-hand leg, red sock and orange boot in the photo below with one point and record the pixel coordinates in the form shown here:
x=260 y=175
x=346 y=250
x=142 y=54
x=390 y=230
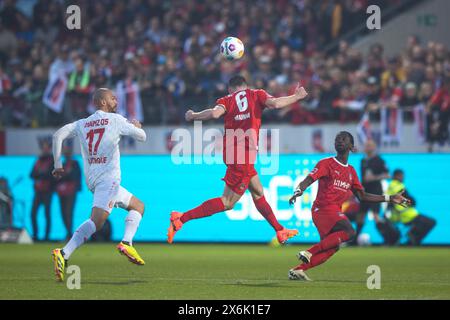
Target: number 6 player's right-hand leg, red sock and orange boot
x=257 y=191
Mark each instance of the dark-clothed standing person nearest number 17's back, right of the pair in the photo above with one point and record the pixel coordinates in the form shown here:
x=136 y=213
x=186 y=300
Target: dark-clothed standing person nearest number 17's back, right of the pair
x=68 y=186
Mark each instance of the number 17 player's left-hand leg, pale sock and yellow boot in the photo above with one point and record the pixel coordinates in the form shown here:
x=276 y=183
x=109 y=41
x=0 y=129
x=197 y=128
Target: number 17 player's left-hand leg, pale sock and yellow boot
x=80 y=236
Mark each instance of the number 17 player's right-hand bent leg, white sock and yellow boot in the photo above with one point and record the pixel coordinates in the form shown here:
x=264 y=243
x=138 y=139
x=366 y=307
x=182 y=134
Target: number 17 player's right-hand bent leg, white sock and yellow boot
x=135 y=209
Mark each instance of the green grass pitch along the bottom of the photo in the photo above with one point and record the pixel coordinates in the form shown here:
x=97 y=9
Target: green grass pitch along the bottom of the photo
x=182 y=271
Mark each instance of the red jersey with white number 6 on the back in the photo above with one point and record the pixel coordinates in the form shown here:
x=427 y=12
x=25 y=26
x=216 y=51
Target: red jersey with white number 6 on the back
x=242 y=122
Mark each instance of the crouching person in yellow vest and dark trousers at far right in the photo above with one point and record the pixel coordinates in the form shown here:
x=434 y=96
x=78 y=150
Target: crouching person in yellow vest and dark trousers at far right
x=419 y=224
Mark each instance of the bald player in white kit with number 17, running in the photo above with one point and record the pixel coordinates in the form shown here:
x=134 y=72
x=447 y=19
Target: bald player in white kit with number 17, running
x=99 y=137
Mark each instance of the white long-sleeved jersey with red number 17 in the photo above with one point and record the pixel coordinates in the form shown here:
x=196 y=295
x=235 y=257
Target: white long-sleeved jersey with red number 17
x=99 y=137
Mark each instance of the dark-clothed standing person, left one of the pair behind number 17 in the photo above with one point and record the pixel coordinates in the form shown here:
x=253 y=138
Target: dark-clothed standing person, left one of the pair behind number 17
x=43 y=187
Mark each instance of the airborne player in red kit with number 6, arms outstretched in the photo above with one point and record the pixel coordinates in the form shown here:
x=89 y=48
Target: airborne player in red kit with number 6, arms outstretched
x=242 y=110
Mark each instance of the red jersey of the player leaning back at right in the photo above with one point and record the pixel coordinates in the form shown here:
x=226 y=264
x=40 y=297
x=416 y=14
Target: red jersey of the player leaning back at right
x=336 y=182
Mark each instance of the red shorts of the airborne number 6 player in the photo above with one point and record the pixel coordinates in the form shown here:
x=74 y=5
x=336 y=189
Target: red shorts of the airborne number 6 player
x=238 y=176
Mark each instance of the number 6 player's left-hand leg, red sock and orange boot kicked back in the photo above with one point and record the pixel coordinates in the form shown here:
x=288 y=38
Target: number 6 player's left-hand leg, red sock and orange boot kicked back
x=206 y=209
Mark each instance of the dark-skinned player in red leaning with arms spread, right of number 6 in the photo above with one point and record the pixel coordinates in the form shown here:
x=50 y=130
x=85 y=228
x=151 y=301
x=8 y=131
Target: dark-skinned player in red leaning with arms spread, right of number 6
x=337 y=181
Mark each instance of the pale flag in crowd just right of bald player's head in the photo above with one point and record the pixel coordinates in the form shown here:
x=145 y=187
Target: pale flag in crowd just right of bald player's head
x=129 y=99
